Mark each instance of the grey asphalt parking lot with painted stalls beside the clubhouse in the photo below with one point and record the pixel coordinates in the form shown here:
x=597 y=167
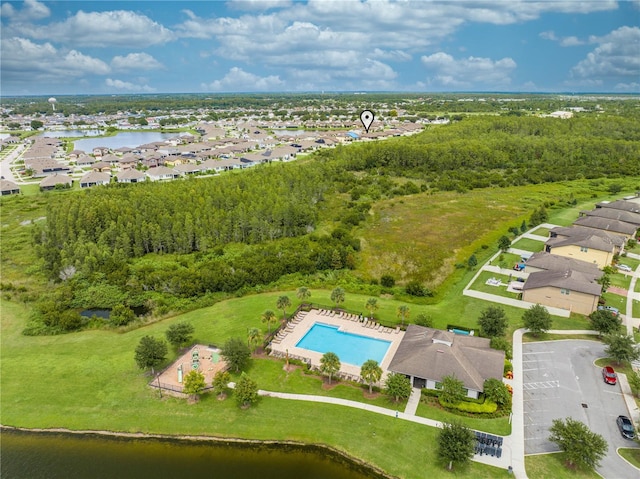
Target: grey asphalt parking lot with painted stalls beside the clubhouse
x=559 y=381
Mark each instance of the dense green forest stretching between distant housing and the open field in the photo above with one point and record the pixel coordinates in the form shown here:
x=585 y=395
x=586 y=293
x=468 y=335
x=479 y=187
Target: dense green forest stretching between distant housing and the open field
x=144 y=244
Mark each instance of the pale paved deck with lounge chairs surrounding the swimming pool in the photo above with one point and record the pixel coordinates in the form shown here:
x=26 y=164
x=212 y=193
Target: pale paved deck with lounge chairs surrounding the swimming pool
x=285 y=342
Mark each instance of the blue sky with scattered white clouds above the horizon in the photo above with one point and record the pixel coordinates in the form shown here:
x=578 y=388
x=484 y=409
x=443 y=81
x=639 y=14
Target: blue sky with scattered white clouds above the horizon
x=84 y=47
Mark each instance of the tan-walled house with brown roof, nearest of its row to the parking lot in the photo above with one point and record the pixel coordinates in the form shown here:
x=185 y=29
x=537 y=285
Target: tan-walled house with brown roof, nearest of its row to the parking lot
x=572 y=290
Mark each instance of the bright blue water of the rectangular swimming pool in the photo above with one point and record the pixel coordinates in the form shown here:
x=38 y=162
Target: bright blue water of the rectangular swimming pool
x=350 y=348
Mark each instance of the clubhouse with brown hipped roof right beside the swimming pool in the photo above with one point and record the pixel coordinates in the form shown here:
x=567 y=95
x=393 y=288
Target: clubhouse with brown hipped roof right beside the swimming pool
x=428 y=355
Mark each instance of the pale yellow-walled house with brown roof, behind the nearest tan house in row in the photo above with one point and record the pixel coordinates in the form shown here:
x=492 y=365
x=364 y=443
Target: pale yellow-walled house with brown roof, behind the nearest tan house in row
x=590 y=248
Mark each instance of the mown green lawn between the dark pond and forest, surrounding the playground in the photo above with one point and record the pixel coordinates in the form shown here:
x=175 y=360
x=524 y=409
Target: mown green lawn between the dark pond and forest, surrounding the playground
x=89 y=380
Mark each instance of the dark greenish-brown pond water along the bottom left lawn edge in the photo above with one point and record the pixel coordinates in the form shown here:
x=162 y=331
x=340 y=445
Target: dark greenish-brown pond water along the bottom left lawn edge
x=27 y=455
